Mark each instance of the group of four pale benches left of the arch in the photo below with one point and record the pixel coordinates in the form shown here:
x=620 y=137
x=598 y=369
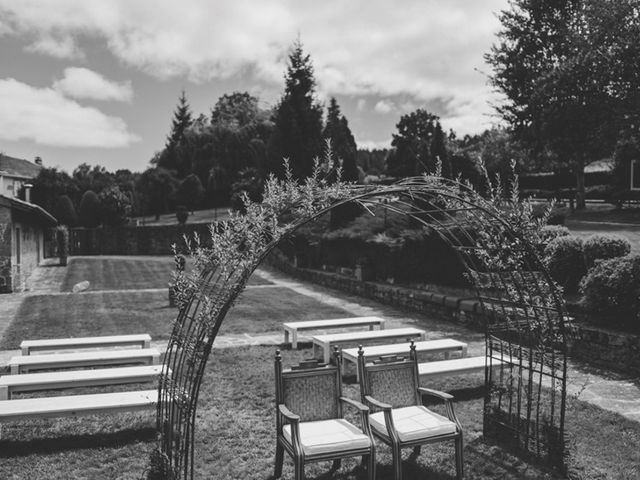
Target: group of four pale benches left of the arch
x=22 y=379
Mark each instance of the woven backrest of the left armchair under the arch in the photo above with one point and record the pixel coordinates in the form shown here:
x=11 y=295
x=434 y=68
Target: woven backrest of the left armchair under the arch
x=310 y=390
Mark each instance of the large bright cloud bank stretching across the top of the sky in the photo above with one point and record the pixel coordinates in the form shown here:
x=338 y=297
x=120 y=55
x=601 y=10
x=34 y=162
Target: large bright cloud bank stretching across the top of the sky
x=425 y=50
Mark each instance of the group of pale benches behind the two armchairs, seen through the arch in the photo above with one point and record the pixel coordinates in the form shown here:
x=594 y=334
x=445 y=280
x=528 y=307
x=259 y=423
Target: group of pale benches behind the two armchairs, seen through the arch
x=323 y=344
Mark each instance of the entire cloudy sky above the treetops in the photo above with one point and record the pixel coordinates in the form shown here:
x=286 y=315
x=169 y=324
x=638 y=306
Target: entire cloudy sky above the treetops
x=97 y=81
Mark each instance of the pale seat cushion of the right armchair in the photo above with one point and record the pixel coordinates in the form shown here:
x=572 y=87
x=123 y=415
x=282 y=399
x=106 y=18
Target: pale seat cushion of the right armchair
x=413 y=423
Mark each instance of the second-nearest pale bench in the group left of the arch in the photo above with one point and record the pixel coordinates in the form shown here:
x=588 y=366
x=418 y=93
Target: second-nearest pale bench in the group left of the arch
x=32 y=382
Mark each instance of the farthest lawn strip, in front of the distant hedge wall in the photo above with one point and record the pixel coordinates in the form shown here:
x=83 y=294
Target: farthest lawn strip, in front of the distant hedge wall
x=125 y=273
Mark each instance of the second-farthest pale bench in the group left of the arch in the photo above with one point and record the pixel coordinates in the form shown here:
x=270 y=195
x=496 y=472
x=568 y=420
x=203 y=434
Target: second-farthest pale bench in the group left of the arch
x=24 y=364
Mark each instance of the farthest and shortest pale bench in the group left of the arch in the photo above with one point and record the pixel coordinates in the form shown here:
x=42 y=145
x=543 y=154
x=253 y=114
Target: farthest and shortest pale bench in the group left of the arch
x=29 y=346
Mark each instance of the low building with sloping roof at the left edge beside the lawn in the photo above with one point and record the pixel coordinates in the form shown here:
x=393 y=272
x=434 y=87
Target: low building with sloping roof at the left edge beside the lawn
x=22 y=233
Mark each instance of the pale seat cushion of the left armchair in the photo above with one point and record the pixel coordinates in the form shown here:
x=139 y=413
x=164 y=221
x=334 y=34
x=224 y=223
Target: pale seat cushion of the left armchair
x=326 y=436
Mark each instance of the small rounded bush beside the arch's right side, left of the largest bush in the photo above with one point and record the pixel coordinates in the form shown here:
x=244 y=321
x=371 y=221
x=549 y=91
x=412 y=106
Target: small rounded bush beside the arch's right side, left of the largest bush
x=564 y=258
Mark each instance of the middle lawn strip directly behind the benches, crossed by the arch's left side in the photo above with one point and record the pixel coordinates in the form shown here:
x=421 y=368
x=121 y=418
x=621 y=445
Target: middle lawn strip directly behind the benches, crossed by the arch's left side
x=94 y=313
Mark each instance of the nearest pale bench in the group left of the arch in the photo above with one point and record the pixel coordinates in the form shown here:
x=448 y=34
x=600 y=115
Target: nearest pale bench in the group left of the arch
x=75 y=405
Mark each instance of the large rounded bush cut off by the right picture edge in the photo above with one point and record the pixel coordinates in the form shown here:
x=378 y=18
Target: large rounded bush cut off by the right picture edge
x=612 y=287
